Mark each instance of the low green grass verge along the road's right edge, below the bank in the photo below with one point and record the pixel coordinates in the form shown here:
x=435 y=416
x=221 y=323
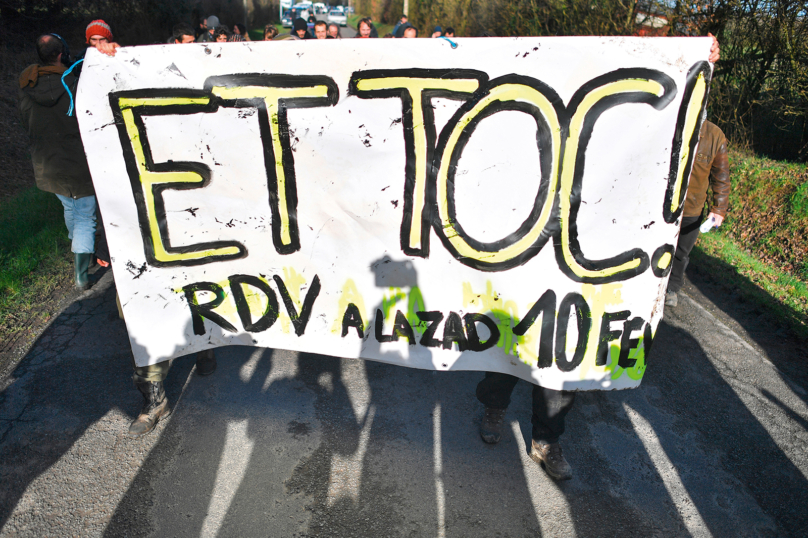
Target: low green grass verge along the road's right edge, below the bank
x=778 y=292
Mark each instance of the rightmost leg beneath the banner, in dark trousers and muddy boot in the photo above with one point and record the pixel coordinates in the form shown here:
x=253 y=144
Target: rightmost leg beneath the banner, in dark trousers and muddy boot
x=550 y=408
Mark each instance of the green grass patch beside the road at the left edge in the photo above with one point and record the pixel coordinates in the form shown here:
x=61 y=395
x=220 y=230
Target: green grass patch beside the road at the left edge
x=35 y=256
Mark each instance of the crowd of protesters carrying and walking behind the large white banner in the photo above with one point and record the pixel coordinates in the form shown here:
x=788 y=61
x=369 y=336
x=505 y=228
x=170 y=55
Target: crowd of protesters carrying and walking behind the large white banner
x=47 y=93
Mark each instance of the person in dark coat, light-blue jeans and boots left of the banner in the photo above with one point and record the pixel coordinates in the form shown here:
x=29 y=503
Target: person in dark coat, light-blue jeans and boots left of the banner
x=57 y=152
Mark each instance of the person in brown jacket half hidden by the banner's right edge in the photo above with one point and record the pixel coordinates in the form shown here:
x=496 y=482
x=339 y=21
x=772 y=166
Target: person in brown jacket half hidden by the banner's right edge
x=710 y=170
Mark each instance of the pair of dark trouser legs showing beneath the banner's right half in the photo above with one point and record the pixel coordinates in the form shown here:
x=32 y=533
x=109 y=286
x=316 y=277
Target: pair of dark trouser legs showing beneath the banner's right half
x=549 y=406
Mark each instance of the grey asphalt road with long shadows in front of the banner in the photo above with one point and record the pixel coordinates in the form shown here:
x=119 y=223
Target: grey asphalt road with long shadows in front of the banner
x=277 y=443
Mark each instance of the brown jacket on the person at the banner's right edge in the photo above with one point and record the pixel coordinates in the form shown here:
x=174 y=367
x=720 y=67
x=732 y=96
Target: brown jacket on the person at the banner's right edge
x=710 y=169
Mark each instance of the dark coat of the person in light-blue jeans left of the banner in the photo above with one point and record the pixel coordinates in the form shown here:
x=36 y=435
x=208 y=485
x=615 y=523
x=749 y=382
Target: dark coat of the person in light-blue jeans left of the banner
x=60 y=165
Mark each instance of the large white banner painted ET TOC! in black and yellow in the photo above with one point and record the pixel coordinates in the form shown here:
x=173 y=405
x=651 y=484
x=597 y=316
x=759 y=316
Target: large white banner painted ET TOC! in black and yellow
x=508 y=205
